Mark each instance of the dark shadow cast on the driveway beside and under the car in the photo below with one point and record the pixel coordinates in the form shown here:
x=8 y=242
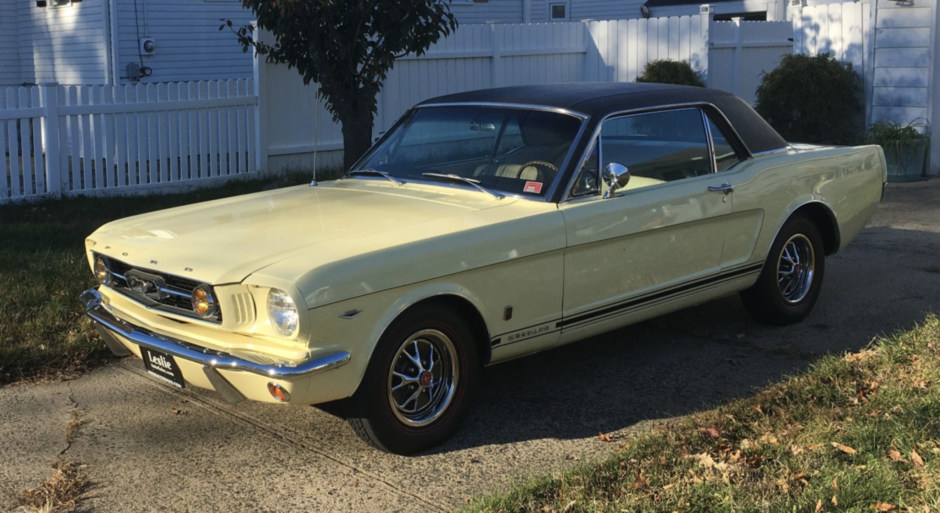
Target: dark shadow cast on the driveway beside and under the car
x=888 y=280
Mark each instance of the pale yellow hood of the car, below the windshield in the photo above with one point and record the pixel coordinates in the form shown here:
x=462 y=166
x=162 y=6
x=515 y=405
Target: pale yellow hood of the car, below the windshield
x=224 y=241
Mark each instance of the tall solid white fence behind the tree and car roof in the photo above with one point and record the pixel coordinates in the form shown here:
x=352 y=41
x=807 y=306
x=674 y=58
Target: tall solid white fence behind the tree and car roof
x=729 y=55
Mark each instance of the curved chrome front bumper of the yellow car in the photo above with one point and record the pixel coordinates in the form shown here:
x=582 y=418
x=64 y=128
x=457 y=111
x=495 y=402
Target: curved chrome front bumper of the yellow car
x=105 y=316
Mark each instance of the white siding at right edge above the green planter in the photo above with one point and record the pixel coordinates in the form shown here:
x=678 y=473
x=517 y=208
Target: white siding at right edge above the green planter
x=902 y=59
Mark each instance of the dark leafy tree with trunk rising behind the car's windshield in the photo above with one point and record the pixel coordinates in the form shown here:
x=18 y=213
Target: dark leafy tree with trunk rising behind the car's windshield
x=347 y=48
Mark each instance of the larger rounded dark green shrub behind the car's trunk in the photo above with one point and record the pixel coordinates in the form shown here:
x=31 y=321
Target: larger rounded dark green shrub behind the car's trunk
x=814 y=100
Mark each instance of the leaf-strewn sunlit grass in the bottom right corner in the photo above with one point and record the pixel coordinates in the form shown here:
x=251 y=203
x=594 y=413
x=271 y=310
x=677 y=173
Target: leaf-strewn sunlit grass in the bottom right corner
x=855 y=433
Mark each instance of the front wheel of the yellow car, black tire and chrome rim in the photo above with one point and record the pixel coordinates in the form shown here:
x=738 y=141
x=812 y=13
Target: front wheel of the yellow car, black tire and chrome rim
x=372 y=411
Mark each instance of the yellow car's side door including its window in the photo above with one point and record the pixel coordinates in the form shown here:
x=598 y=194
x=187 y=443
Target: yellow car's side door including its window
x=662 y=231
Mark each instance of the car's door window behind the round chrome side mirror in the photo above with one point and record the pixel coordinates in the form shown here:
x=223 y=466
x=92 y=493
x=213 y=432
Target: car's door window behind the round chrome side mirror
x=657 y=147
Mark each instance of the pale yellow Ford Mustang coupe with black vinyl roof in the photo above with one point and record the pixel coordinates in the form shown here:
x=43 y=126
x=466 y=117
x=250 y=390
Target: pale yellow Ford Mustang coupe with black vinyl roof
x=483 y=226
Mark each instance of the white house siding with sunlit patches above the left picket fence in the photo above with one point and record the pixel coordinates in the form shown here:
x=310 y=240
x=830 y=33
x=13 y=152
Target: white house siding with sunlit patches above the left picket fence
x=65 y=44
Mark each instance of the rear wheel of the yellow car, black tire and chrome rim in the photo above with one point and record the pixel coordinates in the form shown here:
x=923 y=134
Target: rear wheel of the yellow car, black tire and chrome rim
x=779 y=303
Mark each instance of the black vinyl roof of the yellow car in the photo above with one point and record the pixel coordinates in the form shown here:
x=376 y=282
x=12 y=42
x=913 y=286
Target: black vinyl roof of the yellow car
x=598 y=99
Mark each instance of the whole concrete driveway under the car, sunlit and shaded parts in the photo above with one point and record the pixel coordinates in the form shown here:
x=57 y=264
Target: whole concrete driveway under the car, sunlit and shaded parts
x=150 y=447
